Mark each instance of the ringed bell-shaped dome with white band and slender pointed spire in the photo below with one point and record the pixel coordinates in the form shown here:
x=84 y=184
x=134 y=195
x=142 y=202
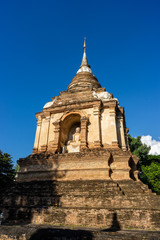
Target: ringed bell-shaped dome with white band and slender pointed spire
x=84 y=78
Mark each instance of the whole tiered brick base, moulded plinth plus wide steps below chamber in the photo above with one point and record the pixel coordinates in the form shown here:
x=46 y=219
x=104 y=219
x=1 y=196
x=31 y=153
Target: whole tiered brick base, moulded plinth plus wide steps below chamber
x=105 y=202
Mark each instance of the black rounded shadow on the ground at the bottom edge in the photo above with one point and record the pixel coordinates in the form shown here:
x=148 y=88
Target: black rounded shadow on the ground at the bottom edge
x=60 y=234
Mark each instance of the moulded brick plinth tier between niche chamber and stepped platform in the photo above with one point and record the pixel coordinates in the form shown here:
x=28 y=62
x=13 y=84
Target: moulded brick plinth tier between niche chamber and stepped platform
x=87 y=165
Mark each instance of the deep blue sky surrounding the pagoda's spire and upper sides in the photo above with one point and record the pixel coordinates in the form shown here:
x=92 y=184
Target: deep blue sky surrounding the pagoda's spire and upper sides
x=41 y=47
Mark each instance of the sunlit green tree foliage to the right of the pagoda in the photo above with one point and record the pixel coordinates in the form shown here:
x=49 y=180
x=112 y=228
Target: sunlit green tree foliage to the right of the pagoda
x=148 y=165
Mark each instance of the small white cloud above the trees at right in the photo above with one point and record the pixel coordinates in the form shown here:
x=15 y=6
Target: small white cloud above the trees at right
x=155 y=145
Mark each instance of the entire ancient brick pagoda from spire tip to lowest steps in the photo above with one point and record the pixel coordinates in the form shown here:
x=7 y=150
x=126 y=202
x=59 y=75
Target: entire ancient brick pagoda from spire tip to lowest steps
x=81 y=171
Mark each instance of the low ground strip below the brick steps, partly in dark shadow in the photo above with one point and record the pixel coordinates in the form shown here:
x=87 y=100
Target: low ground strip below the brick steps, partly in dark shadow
x=48 y=232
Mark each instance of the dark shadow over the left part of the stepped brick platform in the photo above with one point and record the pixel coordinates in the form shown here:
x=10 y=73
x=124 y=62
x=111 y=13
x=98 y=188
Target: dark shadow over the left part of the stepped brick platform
x=24 y=199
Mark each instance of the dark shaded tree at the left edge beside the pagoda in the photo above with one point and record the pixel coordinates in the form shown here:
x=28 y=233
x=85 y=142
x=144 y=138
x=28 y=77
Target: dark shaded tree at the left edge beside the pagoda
x=7 y=171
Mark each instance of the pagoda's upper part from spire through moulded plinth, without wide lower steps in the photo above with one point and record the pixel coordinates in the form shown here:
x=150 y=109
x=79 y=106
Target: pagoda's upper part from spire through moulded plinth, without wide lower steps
x=84 y=130
